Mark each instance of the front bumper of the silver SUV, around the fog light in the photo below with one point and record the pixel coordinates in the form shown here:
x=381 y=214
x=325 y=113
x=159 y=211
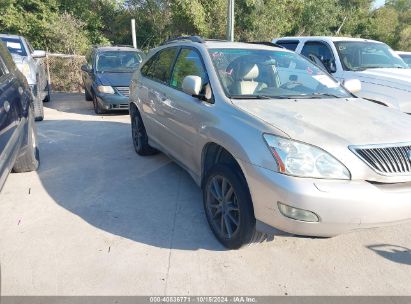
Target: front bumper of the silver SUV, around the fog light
x=341 y=206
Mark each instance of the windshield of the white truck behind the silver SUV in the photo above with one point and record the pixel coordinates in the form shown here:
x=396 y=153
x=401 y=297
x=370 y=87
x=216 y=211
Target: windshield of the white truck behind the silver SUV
x=362 y=55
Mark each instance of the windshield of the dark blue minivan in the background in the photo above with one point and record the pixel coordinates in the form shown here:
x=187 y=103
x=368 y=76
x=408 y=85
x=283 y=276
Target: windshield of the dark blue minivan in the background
x=118 y=61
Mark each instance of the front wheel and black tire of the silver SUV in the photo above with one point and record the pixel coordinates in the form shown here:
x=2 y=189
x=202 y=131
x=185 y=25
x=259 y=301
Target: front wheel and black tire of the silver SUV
x=234 y=207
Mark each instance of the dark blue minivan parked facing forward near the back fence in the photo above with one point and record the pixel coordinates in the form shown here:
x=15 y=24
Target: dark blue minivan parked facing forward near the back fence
x=107 y=77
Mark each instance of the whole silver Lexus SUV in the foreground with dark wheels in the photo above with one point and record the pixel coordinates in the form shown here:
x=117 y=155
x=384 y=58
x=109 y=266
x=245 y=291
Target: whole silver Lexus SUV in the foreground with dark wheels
x=275 y=143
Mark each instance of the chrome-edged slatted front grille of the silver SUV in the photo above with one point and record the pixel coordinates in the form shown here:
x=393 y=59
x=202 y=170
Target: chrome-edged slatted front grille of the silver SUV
x=386 y=159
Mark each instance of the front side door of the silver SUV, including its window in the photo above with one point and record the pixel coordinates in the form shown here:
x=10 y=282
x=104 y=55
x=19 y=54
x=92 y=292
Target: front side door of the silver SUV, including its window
x=182 y=114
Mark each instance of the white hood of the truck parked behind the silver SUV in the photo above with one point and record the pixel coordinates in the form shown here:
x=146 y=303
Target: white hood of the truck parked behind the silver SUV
x=396 y=78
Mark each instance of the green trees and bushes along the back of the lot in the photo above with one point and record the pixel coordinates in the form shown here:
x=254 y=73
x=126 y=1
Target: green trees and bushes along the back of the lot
x=82 y=23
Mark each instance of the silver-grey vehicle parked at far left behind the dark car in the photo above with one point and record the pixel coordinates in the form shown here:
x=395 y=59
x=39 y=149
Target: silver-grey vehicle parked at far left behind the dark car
x=30 y=62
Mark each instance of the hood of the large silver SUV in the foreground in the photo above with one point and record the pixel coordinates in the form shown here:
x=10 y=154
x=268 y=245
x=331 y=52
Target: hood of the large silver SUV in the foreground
x=336 y=121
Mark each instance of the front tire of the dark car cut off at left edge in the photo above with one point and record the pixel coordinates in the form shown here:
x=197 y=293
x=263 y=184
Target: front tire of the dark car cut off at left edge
x=29 y=159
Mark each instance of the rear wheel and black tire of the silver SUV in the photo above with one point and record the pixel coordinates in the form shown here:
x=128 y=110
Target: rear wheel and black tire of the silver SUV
x=139 y=135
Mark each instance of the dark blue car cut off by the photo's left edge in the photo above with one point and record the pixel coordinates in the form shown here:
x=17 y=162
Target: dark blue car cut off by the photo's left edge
x=18 y=138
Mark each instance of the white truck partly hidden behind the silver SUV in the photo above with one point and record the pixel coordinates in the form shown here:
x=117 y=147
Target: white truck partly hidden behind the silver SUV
x=384 y=75
